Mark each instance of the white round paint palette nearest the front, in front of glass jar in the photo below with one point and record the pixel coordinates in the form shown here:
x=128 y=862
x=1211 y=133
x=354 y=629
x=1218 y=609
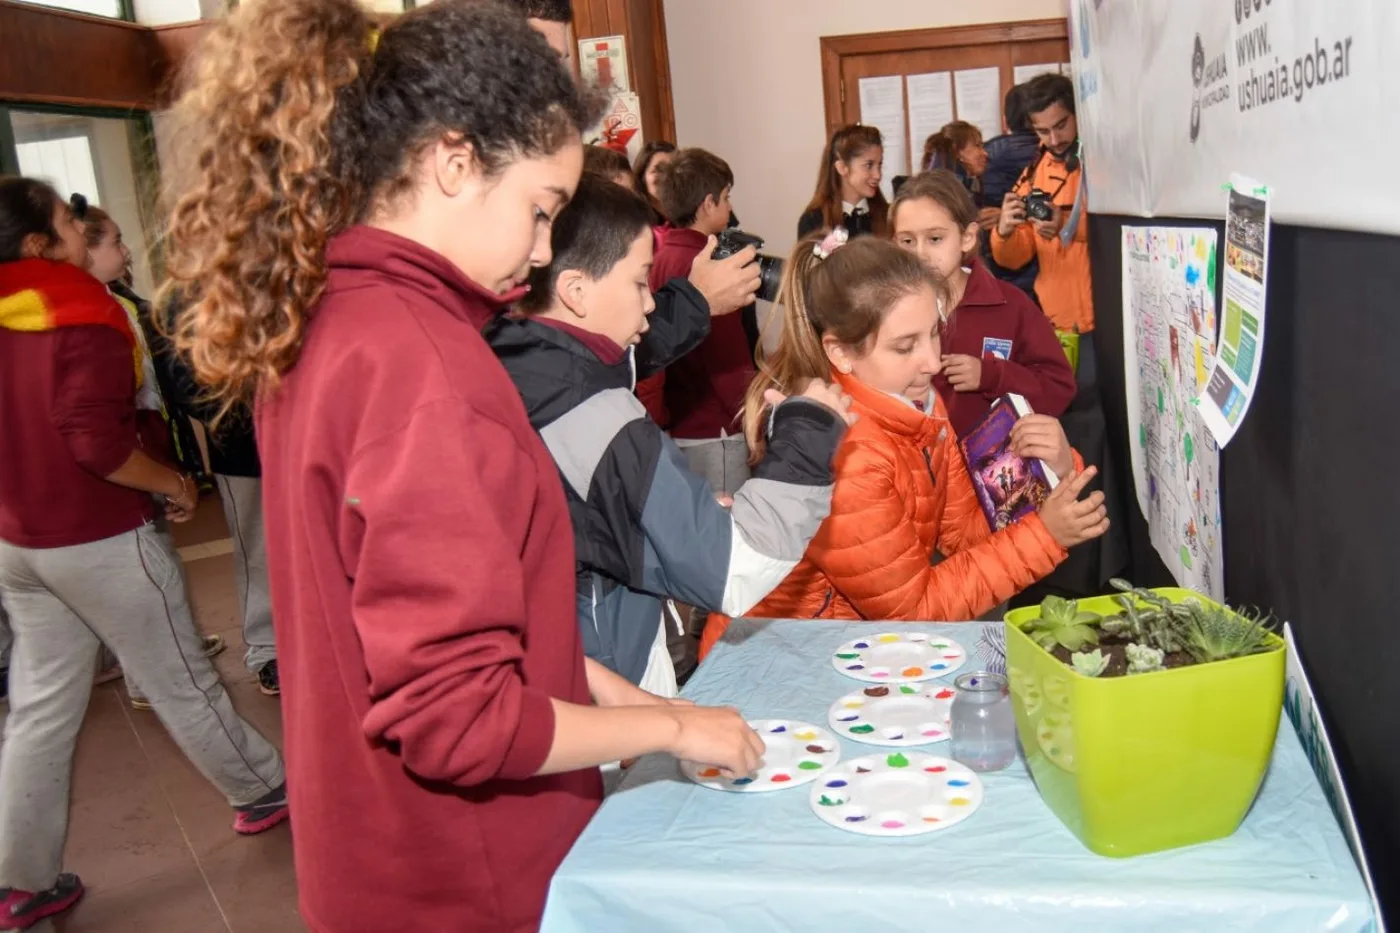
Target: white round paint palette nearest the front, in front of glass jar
x=897 y=795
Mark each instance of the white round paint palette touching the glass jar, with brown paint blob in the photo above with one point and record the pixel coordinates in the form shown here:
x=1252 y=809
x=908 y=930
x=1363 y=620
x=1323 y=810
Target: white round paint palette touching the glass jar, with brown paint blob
x=897 y=715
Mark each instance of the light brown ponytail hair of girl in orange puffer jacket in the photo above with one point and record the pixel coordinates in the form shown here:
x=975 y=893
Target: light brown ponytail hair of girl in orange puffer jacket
x=848 y=296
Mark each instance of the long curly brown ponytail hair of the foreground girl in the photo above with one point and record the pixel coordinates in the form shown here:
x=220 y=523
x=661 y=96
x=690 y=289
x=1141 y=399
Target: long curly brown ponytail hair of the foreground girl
x=300 y=121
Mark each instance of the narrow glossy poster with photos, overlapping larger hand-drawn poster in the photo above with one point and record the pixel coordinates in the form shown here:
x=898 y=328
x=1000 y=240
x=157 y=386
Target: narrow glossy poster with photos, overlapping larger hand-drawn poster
x=1241 y=350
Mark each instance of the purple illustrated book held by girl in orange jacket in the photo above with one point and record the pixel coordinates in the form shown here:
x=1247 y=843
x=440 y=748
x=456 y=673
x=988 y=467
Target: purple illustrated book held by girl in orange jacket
x=1009 y=488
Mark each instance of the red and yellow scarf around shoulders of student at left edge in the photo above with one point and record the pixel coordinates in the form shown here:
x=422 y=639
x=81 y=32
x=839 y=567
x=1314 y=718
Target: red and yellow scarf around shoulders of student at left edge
x=40 y=295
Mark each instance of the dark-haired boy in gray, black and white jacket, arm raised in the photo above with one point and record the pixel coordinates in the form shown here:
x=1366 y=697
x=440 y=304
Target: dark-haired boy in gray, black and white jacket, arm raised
x=646 y=529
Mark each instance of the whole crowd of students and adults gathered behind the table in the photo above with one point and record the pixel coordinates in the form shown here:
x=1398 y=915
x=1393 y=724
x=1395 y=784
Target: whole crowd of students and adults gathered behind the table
x=510 y=413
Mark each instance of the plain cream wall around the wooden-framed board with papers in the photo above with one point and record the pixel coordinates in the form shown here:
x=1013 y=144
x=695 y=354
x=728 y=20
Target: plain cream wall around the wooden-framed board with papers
x=747 y=79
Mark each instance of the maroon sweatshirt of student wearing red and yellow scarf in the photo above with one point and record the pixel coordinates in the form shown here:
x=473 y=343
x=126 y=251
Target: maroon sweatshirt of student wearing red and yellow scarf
x=68 y=421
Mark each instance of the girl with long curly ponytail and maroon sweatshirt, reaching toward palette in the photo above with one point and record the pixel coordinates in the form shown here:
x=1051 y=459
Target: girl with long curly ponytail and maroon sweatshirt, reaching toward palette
x=360 y=207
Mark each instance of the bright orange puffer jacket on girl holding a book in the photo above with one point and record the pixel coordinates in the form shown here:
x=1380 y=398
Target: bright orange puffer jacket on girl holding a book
x=902 y=492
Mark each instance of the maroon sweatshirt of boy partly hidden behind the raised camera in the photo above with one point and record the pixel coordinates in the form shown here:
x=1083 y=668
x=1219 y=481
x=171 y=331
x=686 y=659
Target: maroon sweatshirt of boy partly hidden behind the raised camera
x=705 y=389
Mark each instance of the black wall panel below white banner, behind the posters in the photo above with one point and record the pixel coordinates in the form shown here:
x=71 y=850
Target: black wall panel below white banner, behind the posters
x=1311 y=506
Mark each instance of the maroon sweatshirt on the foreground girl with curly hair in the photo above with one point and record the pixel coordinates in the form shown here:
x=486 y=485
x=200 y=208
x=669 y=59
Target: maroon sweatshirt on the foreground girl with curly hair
x=423 y=582
